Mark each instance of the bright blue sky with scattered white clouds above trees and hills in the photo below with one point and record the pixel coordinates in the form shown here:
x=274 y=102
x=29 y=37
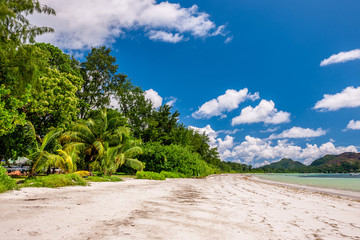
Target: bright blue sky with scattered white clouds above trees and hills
x=262 y=56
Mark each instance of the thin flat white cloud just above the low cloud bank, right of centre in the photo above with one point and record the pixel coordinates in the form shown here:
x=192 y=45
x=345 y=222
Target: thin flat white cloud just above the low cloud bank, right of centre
x=298 y=132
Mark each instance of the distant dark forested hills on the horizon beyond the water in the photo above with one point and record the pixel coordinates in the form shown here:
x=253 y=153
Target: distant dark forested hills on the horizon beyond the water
x=345 y=162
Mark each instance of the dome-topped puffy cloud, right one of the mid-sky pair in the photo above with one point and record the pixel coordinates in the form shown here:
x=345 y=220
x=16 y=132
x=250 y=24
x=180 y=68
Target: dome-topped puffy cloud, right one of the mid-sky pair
x=264 y=112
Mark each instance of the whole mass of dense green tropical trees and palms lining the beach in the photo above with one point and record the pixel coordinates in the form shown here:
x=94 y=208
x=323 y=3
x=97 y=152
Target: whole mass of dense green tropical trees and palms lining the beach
x=56 y=111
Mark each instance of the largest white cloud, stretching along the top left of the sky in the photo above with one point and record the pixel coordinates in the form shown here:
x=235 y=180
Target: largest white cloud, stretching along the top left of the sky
x=82 y=24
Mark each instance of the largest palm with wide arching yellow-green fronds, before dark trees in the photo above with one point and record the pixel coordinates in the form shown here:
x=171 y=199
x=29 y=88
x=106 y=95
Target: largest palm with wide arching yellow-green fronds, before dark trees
x=106 y=143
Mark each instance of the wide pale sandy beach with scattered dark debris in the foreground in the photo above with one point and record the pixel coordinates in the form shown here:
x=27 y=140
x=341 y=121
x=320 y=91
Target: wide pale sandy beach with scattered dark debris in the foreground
x=229 y=206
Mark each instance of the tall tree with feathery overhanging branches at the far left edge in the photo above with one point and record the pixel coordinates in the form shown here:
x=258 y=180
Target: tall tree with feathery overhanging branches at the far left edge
x=17 y=61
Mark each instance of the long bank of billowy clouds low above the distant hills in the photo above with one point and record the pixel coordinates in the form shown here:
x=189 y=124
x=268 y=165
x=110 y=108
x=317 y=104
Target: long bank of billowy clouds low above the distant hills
x=256 y=149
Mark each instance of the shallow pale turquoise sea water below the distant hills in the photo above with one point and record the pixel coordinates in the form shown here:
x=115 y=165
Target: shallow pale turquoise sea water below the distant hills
x=338 y=181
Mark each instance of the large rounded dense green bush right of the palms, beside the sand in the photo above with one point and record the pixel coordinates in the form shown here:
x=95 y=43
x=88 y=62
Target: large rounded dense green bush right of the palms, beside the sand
x=174 y=158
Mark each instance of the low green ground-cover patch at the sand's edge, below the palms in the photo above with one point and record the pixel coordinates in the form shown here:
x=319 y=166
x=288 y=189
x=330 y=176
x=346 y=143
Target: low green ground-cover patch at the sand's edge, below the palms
x=55 y=181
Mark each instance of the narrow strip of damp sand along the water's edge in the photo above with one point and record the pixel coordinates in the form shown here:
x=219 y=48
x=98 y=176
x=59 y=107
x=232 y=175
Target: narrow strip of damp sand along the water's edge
x=354 y=195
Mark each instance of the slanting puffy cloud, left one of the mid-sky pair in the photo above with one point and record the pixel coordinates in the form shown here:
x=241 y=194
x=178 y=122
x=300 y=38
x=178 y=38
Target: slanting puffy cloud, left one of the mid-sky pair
x=224 y=103
